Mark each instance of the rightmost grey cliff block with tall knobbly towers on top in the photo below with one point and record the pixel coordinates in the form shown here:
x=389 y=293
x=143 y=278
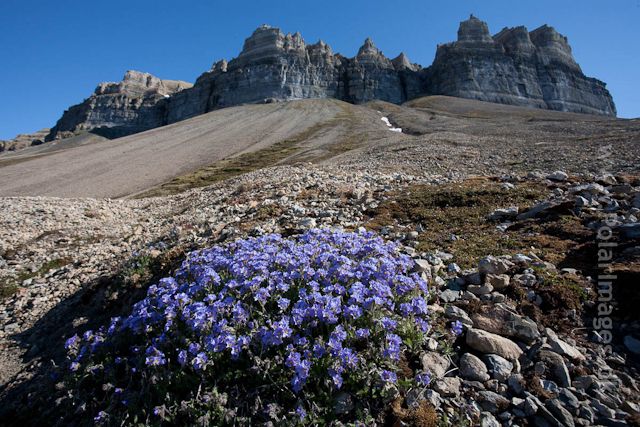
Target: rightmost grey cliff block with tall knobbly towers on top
x=517 y=67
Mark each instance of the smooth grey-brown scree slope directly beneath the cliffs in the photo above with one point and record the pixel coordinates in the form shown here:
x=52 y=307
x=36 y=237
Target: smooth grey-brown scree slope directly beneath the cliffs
x=480 y=134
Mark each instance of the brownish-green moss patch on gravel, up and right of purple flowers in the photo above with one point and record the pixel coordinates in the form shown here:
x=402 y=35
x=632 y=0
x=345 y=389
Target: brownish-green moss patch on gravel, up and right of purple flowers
x=460 y=210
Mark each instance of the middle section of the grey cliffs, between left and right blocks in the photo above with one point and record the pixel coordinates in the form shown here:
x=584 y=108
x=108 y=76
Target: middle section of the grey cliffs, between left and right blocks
x=275 y=67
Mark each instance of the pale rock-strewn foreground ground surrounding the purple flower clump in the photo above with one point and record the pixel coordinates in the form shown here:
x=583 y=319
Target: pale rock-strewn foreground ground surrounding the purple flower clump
x=528 y=355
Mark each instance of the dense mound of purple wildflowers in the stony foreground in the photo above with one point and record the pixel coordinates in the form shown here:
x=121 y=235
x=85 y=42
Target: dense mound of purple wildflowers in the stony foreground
x=326 y=299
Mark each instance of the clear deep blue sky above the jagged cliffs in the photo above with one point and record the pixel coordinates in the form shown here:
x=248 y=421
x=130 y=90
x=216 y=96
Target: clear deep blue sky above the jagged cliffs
x=54 y=53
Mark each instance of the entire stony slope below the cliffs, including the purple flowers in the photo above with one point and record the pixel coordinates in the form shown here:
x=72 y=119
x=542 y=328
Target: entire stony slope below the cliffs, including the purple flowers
x=509 y=223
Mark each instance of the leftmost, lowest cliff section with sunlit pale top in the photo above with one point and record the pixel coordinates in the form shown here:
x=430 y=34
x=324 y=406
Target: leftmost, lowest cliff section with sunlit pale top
x=135 y=104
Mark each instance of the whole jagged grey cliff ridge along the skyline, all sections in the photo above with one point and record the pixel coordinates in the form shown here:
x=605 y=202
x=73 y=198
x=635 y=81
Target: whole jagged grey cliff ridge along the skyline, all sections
x=516 y=67
